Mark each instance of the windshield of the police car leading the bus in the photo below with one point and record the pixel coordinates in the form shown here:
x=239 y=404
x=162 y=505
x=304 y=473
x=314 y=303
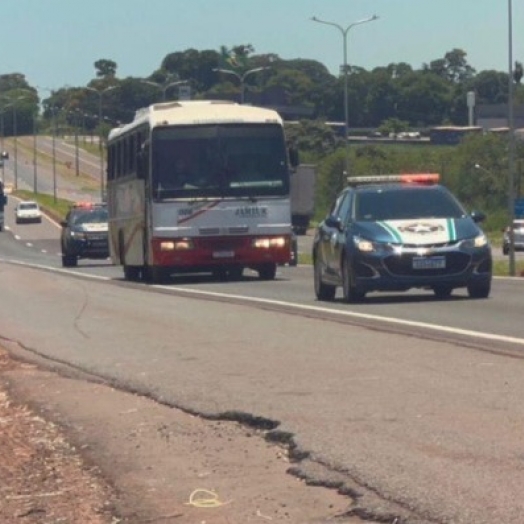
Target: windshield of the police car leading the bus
x=406 y=203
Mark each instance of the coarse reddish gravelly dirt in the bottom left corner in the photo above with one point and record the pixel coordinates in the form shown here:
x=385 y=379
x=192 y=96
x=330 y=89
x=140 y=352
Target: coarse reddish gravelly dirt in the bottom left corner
x=42 y=477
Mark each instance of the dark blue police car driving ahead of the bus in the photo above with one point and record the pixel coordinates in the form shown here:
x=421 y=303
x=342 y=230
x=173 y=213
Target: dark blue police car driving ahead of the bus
x=397 y=232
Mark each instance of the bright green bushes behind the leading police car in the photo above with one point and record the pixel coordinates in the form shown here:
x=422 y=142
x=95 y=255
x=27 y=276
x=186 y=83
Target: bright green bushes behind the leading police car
x=482 y=188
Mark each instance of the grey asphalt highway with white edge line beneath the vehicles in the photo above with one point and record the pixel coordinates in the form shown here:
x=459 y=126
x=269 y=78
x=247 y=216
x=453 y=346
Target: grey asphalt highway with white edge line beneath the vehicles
x=412 y=402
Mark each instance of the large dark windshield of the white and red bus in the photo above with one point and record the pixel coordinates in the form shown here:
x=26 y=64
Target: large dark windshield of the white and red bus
x=219 y=160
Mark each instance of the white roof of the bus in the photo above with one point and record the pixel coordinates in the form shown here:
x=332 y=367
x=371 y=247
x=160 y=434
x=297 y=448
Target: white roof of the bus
x=196 y=112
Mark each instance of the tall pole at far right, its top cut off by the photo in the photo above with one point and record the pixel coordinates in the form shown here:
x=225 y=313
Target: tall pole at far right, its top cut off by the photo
x=511 y=124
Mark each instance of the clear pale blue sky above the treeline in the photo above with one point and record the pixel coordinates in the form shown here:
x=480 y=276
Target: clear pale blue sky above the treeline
x=55 y=43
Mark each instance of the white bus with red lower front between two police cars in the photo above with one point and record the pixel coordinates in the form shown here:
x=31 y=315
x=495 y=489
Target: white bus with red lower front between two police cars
x=199 y=186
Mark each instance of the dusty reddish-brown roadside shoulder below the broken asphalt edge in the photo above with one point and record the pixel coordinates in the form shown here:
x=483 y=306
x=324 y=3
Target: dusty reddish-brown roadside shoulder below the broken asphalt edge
x=72 y=451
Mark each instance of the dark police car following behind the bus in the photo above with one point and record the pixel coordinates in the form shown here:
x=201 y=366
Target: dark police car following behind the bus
x=84 y=234
